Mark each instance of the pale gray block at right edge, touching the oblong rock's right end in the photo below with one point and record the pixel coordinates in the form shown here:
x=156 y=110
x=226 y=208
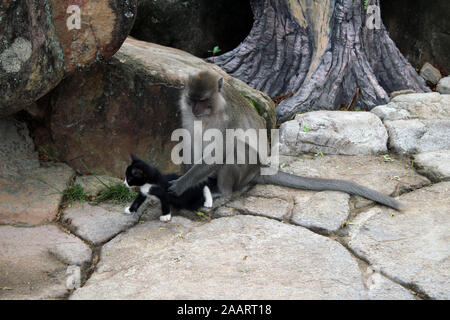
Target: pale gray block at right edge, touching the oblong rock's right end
x=408 y=137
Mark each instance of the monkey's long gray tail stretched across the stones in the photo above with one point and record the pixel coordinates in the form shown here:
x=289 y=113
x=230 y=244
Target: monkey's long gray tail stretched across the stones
x=319 y=184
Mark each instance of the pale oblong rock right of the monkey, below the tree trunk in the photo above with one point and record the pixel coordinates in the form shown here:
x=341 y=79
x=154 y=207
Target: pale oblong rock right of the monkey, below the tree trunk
x=333 y=132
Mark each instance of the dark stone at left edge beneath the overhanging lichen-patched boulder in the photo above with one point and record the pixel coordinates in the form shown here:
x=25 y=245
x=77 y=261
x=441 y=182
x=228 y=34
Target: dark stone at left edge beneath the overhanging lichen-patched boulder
x=16 y=148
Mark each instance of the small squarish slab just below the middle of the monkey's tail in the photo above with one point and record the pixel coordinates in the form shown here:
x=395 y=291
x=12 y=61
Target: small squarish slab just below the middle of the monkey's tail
x=322 y=211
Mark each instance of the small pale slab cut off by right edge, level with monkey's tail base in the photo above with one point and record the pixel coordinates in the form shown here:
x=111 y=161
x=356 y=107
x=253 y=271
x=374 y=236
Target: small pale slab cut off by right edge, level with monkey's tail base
x=434 y=165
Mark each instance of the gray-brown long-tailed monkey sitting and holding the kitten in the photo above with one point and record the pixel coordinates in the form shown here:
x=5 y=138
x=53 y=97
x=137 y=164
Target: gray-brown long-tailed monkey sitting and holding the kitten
x=206 y=98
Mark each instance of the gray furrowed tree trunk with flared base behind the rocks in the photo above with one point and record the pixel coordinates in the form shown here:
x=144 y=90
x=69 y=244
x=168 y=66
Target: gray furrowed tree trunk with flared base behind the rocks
x=320 y=51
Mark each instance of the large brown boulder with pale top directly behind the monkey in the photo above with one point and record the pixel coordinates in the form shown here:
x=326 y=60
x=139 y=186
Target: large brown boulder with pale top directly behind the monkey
x=129 y=104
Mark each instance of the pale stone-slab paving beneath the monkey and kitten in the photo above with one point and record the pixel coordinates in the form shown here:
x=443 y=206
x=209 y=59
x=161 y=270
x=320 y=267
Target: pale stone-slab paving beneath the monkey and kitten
x=268 y=242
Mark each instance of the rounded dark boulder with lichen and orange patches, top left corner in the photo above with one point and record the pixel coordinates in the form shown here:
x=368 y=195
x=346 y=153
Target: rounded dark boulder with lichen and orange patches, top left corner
x=42 y=42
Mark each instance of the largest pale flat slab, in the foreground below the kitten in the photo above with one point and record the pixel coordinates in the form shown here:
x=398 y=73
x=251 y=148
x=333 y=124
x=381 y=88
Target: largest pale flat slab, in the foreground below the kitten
x=239 y=257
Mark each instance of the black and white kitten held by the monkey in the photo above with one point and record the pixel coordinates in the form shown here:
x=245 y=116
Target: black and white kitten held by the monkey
x=152 y=181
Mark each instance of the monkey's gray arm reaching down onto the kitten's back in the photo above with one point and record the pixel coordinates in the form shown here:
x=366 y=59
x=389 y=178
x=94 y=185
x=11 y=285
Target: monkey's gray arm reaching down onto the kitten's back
x=195 y=175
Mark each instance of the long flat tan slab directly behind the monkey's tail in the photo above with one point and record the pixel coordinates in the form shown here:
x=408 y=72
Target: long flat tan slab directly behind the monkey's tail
x=383 y=174
